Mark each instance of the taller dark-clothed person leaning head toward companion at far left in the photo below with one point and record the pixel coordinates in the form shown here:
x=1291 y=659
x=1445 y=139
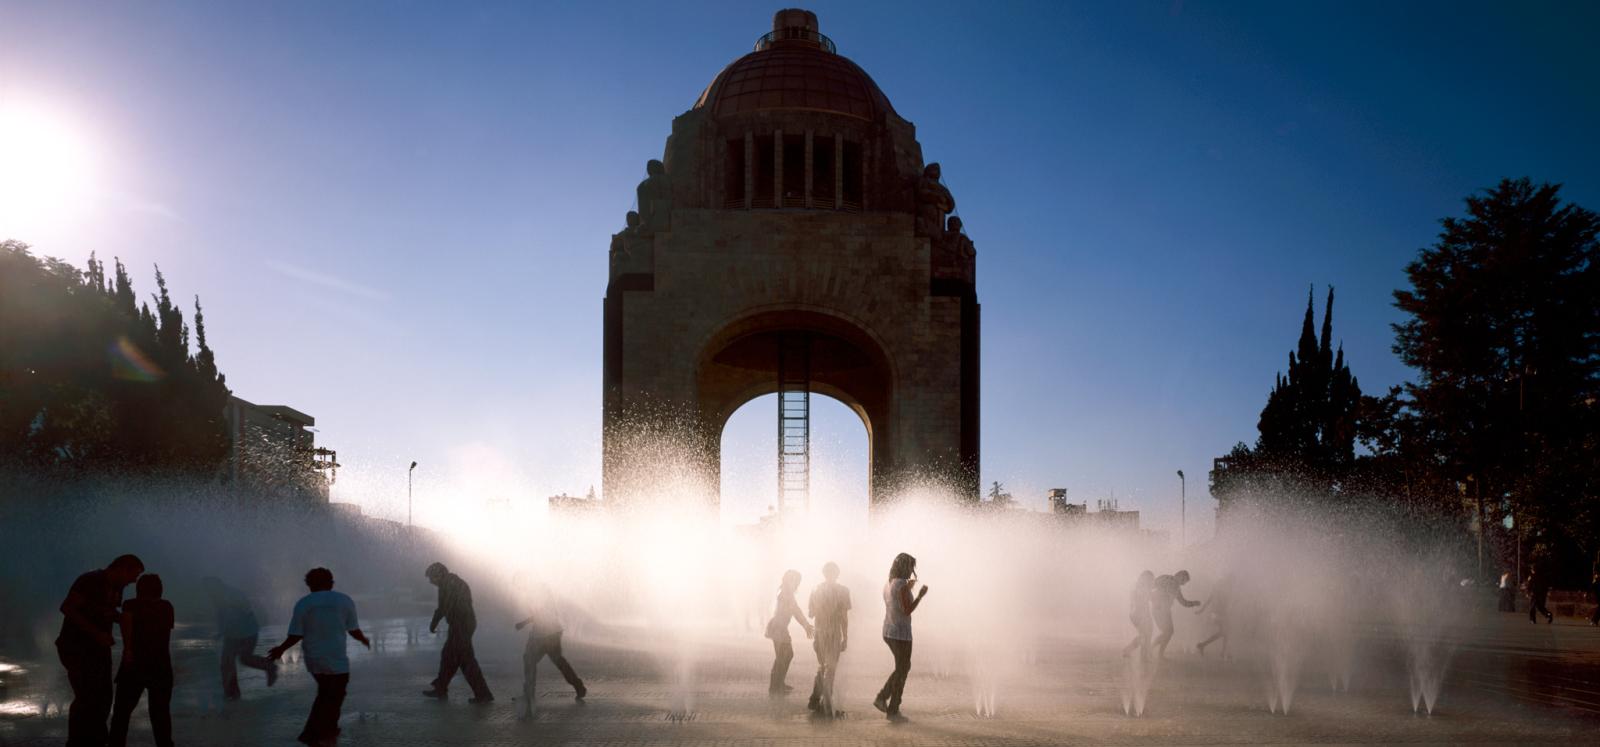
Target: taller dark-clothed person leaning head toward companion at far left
x=84 y=647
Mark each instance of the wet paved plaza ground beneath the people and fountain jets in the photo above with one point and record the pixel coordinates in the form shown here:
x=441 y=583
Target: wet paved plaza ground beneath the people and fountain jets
x=1505 y=682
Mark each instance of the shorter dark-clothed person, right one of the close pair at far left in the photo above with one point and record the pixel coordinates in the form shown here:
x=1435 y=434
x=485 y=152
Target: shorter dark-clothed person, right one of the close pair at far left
x=146 y=663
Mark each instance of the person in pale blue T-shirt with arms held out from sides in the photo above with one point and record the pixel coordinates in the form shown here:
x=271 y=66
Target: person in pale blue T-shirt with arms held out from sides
x=321 y=623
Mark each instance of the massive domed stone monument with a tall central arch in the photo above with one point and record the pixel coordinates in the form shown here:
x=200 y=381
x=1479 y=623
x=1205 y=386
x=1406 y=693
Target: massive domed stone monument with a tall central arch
x=791 y=241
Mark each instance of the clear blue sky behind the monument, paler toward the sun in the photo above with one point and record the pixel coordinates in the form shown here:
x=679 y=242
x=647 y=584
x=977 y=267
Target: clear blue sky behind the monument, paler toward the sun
x=398 y=214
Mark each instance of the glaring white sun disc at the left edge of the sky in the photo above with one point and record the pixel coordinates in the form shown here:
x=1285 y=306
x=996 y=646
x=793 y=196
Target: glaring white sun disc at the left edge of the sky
x=47 y=170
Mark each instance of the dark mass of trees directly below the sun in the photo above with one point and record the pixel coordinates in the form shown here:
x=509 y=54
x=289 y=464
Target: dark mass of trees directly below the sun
x=94 y=383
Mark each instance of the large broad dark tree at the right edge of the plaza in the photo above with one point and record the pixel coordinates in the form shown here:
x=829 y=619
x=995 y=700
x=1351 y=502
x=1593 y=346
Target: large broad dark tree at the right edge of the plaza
x=1505 y=334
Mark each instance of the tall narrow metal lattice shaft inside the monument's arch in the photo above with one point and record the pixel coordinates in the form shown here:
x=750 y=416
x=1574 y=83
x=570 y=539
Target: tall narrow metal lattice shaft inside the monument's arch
x=794 y=423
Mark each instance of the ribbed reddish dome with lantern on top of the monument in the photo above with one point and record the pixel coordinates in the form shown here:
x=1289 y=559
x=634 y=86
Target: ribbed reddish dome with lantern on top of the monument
x=794 y=68
